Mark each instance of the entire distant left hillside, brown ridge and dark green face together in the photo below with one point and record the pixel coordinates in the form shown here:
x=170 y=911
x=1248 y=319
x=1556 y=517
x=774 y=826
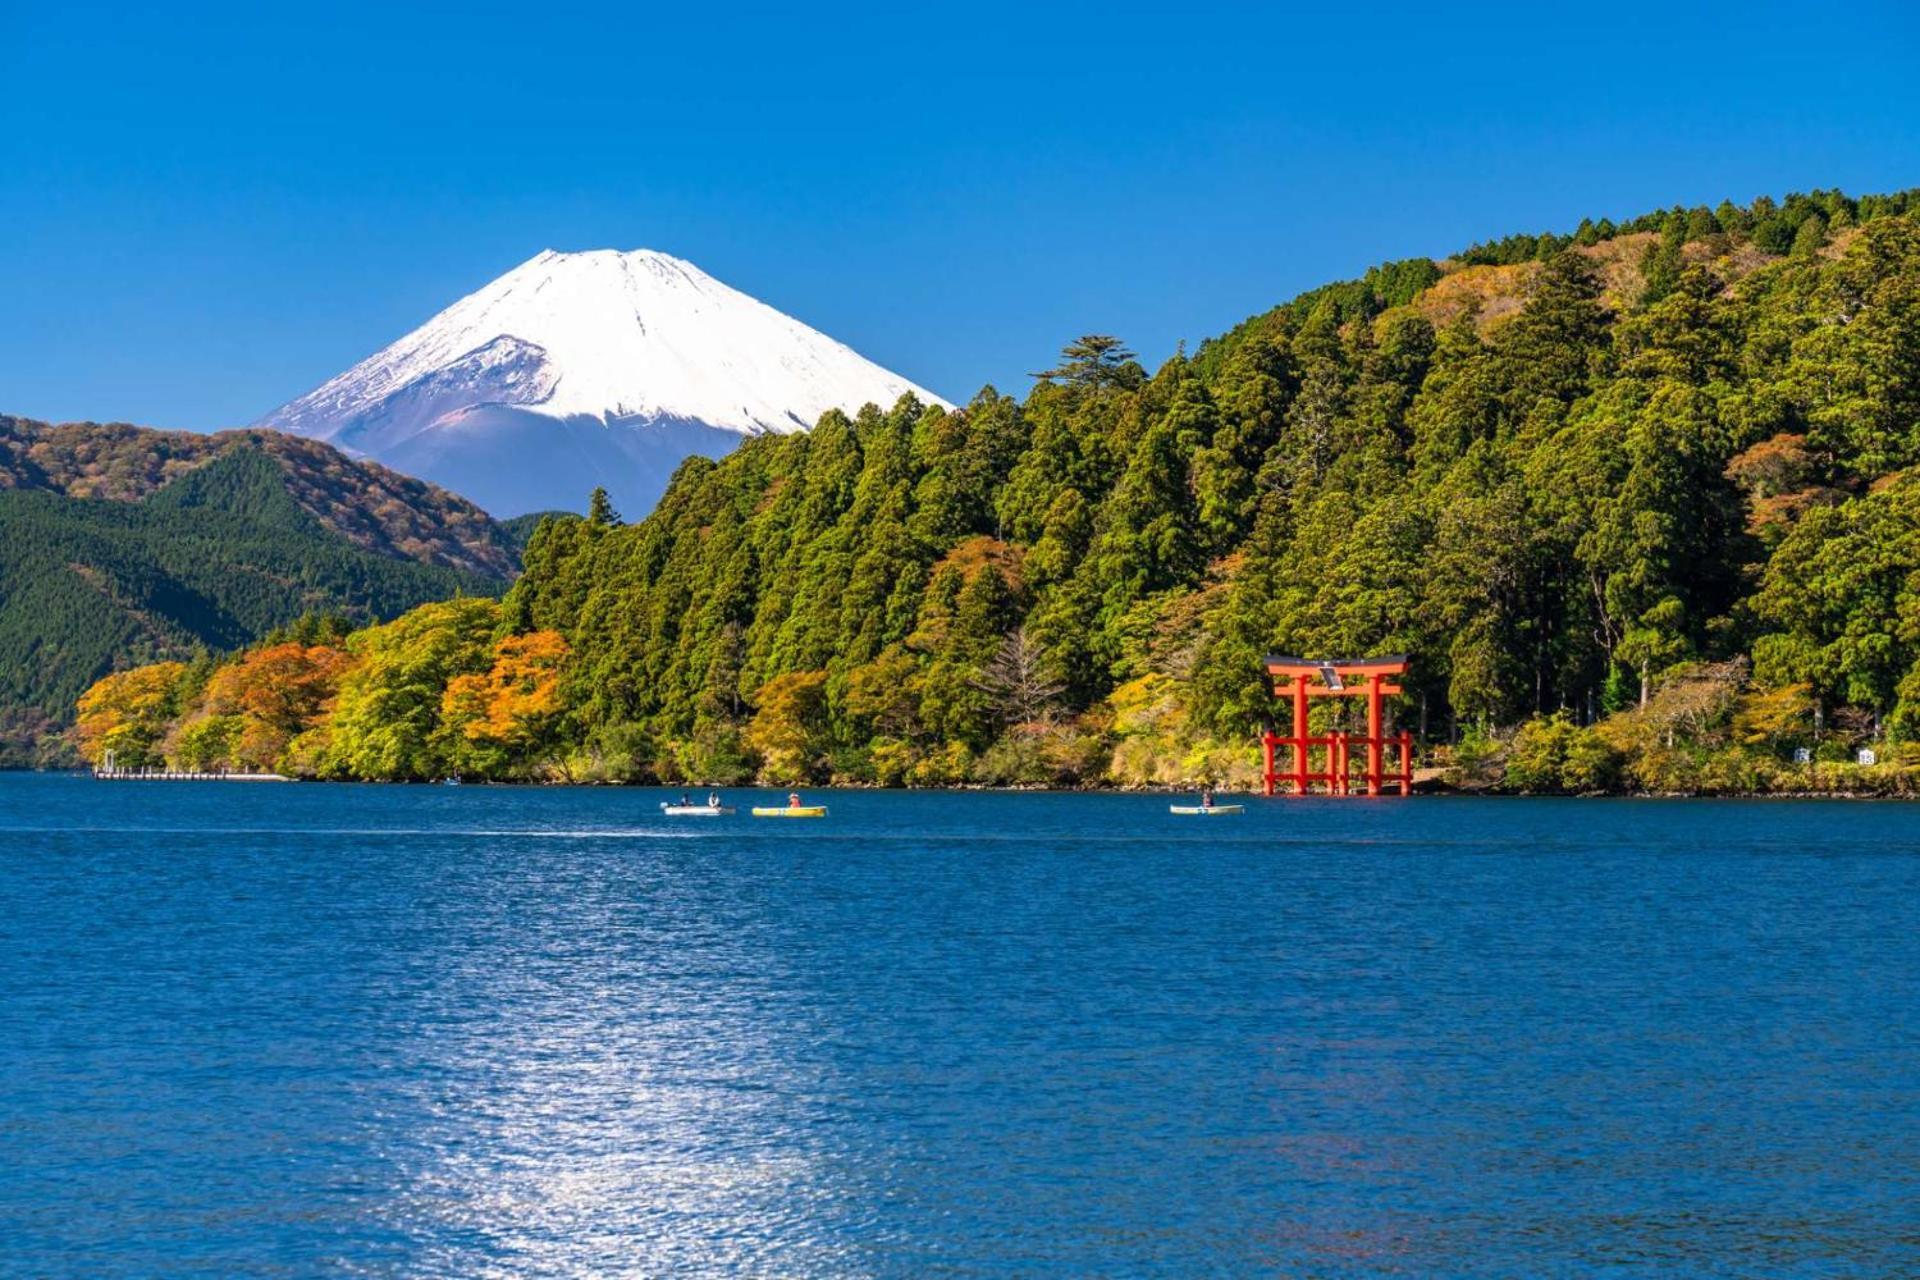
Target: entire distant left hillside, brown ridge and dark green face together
x=122 y=546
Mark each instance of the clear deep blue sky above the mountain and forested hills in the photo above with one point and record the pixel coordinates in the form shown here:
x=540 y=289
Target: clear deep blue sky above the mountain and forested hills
x=208 y=210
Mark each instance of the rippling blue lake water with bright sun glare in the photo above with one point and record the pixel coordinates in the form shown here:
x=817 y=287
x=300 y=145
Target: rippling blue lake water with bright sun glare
x=289 y=1031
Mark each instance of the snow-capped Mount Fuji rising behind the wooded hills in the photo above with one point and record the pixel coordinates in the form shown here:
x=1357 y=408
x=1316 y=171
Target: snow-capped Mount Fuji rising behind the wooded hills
x=587 y=369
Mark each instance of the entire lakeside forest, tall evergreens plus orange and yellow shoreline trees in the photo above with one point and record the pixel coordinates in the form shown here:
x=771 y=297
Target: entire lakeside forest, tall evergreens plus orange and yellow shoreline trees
x=1639 y=502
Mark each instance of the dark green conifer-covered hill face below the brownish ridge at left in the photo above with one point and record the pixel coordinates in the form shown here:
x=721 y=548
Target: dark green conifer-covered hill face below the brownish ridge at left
x=210 y=559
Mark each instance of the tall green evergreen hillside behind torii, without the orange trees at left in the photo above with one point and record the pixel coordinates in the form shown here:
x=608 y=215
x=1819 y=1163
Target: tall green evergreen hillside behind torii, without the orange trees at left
x=1552 y=511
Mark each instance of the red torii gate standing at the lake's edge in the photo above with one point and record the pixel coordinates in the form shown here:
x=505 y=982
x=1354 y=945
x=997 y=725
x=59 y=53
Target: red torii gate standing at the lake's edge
x=1337 y=678
